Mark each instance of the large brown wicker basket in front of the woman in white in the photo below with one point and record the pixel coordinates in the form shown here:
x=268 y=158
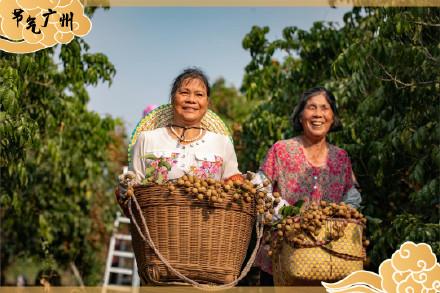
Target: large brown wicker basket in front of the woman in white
x=205 y=242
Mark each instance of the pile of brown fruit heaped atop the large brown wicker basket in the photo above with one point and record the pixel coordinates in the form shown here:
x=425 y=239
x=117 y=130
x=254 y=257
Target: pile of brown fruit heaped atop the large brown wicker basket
x=215 y=191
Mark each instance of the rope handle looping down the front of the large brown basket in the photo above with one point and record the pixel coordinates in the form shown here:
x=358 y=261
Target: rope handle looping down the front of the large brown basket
x=259 y=228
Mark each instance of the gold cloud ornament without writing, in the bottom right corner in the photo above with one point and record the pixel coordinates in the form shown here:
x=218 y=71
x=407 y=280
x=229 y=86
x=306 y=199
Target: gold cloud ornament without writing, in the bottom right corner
x=413 y=268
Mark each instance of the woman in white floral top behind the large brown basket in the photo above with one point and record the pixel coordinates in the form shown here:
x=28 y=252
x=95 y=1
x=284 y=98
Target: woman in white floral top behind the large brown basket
x=184 y=146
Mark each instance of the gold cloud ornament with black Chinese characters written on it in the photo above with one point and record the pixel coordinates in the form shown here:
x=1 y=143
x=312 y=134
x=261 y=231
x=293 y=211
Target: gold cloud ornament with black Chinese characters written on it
x=27 y=25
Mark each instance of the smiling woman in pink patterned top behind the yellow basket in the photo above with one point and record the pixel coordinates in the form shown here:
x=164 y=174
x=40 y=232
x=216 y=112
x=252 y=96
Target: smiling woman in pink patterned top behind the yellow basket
x=307 y=167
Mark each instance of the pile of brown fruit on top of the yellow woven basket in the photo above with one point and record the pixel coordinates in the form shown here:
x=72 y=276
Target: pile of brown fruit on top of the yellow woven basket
x=302 y=229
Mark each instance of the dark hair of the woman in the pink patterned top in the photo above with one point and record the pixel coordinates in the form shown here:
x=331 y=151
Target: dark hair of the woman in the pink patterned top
x=297 y=112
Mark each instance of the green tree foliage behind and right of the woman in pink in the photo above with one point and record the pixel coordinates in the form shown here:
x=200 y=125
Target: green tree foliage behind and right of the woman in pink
x=383 y=66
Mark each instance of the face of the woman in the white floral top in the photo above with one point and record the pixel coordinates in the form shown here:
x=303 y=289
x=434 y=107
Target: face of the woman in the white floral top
x=190 y=102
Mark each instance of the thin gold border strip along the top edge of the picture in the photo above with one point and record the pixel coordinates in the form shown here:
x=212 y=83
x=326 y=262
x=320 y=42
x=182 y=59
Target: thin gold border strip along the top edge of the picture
x=263 y=3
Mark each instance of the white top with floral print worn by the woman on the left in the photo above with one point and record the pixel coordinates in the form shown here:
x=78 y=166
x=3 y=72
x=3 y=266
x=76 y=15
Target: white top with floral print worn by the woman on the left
x=158 y=156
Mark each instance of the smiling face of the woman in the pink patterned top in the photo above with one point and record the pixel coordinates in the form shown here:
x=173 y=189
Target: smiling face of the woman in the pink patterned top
x=317 y=117
